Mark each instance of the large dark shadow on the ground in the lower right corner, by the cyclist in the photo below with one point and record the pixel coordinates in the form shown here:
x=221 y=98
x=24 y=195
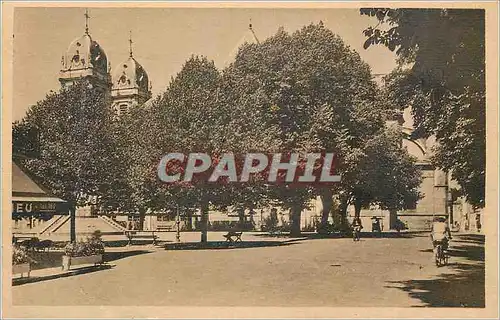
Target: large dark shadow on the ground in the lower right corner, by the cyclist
x=462 y=288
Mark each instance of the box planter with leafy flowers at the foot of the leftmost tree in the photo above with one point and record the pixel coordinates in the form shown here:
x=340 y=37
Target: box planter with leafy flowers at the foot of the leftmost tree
x=84 y=252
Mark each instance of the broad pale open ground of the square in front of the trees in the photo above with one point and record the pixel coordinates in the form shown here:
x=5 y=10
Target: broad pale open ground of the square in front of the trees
x=310 y=272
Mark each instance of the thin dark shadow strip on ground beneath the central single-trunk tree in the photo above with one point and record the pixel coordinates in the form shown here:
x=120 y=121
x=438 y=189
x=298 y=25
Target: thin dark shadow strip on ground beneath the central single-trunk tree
x=220 y=245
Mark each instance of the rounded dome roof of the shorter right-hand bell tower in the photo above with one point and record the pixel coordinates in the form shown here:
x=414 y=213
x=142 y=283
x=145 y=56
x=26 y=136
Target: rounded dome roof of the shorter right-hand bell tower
x=130 y=74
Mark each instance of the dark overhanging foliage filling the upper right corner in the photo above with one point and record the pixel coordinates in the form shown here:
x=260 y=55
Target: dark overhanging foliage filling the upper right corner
x=442 y=77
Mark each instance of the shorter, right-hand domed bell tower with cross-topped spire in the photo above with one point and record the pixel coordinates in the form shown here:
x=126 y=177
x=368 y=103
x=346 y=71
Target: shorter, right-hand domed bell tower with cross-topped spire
x=131 y=85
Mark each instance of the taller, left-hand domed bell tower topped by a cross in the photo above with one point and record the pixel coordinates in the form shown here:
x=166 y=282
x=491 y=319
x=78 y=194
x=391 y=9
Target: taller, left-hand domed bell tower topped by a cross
x=85 y=59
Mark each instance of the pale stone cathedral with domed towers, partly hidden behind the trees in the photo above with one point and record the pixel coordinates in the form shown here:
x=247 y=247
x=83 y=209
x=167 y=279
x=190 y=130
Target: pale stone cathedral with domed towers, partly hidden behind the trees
x=129 y=86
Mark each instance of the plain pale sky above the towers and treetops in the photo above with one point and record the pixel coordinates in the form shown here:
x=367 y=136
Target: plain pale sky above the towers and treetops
x=163 y=39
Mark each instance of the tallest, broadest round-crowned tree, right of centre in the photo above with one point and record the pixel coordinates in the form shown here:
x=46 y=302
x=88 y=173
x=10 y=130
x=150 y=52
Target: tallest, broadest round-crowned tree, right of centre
x=316 y=89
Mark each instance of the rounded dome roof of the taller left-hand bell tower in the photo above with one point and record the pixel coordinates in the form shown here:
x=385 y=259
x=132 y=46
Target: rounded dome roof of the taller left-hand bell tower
x=85 y=53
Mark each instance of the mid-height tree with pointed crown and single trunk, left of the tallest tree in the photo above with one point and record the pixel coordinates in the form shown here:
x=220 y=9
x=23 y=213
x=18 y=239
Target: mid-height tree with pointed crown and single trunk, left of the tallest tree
x=202 y=112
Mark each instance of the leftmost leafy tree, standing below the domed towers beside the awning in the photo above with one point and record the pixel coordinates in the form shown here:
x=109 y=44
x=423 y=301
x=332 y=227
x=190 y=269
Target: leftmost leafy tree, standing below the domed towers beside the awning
x=76 y=145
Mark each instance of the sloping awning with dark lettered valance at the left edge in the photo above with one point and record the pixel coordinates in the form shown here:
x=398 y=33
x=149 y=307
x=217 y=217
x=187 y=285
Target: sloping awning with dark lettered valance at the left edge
x=31 y=199
